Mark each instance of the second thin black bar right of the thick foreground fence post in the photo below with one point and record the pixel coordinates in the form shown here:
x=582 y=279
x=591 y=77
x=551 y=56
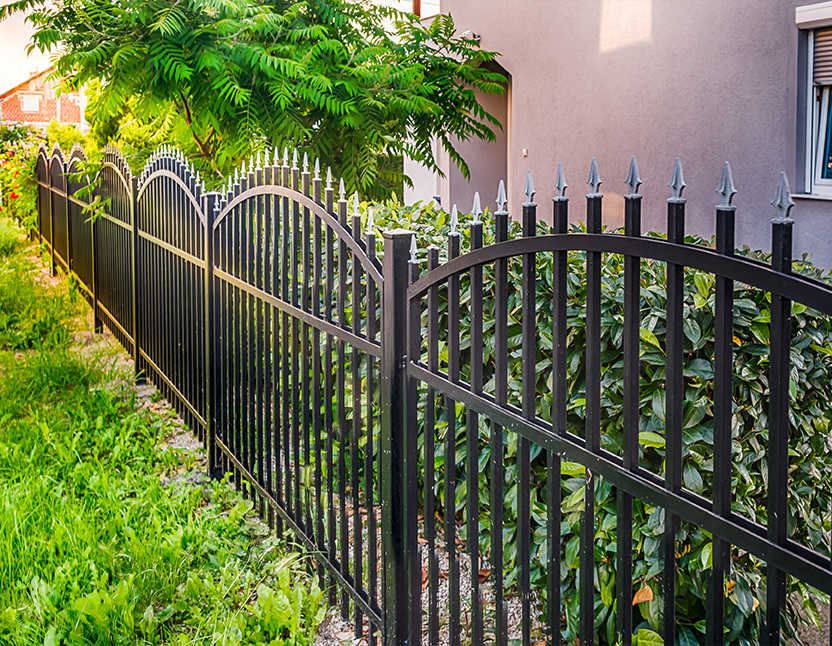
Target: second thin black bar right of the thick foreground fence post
x=430 y=454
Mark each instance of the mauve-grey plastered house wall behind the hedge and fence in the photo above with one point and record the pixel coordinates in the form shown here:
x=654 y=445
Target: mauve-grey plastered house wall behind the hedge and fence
x=707 y=81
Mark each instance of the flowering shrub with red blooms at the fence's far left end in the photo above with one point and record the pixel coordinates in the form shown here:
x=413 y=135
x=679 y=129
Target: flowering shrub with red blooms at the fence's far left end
x=18 y=183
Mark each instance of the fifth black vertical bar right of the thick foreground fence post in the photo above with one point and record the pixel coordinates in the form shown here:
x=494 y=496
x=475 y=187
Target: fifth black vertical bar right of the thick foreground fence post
x=501 y=395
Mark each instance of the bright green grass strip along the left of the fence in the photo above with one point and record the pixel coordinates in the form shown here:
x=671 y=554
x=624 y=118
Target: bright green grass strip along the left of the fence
x=104 y=538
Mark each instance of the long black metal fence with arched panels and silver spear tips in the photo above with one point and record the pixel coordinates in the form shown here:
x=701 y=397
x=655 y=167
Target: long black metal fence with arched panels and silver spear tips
x=330 y=382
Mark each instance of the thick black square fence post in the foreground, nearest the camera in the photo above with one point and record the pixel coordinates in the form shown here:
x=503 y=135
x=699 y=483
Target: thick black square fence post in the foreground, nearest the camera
x=392 y=460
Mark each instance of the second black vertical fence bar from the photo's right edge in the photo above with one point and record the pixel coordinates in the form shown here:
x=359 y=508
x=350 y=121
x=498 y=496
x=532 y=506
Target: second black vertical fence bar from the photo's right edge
x=723 y=410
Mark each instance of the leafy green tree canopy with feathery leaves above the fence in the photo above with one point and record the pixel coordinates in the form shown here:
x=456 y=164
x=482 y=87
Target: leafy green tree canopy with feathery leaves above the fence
x=349 y=81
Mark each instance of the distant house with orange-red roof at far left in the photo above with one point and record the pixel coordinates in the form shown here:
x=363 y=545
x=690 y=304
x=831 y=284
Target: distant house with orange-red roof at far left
x=68 y=108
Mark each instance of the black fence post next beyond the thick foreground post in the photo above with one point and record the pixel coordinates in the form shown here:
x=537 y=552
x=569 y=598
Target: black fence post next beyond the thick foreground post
x=210 y=205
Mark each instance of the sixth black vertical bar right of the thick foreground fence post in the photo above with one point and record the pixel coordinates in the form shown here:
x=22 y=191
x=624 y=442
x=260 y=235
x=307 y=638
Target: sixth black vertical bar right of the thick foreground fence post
x=529 y=386
